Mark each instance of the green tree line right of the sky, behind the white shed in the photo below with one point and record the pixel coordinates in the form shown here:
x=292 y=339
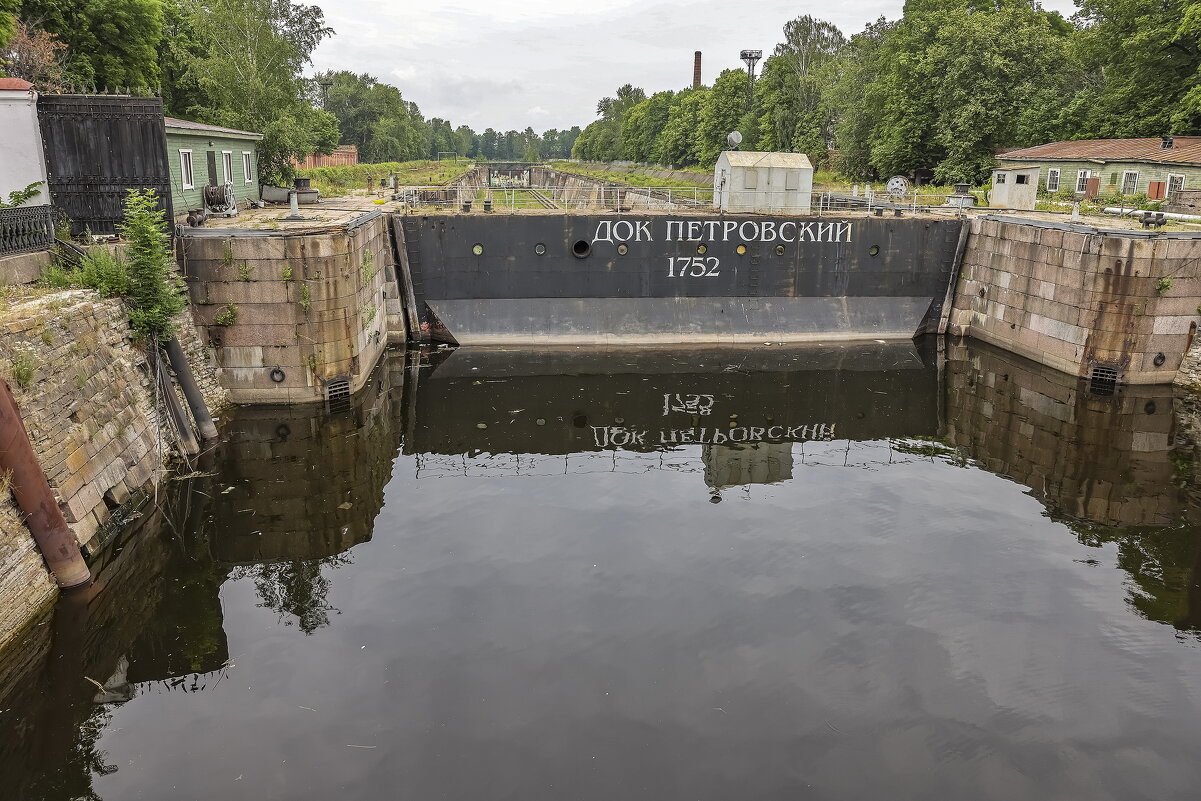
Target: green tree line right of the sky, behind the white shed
x=935 y=94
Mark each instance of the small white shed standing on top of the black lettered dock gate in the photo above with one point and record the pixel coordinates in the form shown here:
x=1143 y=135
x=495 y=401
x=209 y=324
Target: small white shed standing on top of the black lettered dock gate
x=780 y=183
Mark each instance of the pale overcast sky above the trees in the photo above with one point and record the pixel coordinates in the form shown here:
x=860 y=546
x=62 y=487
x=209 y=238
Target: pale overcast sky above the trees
x=511 y=64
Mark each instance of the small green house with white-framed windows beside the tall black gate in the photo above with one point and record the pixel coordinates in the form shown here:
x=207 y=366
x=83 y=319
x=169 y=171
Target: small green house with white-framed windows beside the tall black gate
x=201 y=156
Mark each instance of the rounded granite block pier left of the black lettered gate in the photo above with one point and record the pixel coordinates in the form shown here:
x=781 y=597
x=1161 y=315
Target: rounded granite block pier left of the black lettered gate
x=292 y=316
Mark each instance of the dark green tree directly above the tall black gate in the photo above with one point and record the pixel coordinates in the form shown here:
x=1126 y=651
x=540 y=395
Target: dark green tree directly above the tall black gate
x=109 y=43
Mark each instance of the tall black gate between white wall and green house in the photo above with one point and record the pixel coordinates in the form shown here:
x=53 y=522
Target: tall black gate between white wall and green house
x=98 y=148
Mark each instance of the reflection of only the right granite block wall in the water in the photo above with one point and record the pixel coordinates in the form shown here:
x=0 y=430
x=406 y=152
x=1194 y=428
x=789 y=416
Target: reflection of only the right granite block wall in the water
x=1107 y=459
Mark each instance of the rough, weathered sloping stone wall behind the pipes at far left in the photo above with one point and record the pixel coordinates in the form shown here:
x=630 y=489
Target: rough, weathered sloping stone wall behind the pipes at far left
x=87 y=400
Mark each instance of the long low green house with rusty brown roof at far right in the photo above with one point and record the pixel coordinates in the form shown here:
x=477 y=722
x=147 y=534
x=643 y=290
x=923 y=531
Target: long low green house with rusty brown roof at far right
x=1155 y=168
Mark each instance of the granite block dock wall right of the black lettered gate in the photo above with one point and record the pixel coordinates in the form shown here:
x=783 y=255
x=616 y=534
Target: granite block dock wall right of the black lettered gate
x=1080 y=300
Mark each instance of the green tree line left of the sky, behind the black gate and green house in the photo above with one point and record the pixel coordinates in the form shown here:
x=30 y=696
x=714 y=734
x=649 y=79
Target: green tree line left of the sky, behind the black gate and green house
x=241 y=64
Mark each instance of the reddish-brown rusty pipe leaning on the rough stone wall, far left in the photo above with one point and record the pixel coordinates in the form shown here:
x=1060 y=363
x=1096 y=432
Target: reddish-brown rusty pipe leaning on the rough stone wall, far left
x=46 y=523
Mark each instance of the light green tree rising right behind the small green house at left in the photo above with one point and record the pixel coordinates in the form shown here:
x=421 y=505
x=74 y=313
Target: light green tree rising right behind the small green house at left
x=252 y=75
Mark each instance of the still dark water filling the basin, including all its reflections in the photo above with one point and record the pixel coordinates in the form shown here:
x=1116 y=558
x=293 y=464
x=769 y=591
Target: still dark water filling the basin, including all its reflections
x=864 y=572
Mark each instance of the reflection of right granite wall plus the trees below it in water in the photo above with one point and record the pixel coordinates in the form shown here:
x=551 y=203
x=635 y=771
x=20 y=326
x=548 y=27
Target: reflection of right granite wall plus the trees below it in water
x=1106 y=467
